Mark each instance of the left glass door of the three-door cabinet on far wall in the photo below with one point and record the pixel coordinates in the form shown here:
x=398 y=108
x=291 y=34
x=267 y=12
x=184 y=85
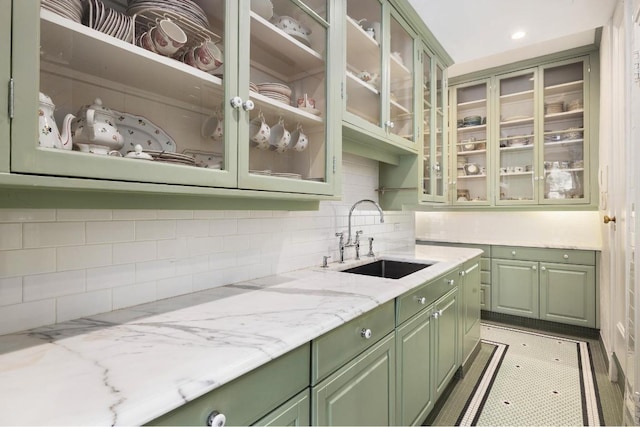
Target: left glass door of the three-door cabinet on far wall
x=469 y=143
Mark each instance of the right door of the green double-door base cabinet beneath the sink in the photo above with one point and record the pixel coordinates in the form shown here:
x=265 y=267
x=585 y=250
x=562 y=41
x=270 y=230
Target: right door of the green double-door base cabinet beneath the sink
x=446 y=341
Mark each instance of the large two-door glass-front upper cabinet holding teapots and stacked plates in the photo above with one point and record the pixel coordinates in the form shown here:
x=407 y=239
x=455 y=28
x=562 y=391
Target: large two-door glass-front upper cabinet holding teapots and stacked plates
x=216 y=93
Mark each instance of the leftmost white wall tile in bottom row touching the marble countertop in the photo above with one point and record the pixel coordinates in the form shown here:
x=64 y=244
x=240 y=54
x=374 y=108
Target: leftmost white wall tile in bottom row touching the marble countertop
x=14 y=318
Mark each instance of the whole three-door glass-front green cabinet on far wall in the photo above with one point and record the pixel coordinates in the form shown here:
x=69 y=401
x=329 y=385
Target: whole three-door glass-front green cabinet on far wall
x=535 y=144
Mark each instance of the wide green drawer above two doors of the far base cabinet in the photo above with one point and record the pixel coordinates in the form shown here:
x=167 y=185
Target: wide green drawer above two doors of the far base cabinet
x=564 y=256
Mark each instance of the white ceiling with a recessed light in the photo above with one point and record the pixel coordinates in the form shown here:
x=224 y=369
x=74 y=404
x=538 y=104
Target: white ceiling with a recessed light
x=477 y=33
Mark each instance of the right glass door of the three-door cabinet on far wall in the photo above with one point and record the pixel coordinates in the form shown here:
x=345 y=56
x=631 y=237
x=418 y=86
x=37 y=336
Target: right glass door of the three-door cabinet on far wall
x=564 y=158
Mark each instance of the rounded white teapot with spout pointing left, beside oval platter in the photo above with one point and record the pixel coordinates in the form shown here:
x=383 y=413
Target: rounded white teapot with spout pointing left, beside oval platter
x=94 y=129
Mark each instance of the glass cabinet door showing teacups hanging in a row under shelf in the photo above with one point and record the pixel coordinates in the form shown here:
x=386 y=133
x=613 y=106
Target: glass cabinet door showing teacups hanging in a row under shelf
x=284 y=143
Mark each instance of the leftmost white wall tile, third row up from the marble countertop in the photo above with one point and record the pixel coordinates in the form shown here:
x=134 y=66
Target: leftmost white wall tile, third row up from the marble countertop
x=27 y=261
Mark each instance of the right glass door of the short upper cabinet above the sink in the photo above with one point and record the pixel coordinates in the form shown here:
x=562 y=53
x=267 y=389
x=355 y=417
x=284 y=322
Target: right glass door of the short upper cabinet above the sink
x=401 y=81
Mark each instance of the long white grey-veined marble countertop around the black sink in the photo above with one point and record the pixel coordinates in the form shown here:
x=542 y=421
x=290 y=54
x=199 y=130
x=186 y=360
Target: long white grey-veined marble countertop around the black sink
x=130 y=366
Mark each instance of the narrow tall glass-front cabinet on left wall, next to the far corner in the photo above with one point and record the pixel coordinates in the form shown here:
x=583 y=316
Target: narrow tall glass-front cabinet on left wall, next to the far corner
x=434 y=154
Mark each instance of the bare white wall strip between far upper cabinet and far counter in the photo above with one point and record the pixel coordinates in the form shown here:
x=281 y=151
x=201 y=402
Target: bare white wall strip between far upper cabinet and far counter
x=577 y=229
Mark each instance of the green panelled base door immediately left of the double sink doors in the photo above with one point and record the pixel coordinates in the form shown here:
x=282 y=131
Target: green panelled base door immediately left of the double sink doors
x=360 y=393
